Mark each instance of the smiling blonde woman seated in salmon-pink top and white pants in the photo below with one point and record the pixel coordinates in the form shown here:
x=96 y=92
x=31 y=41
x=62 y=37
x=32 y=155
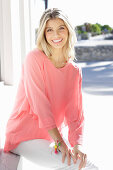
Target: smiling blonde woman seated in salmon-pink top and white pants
x=49 y=97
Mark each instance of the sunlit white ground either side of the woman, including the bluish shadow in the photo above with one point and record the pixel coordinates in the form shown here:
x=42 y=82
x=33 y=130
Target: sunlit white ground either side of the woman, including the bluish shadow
x=98 y=111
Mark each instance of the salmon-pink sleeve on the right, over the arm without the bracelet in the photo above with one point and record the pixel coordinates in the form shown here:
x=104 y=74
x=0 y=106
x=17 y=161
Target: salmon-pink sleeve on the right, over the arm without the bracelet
x=76 y=126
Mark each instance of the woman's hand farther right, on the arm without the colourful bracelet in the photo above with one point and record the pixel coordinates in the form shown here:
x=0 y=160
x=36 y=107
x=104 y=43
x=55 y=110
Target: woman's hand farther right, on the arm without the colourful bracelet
x=77 y=154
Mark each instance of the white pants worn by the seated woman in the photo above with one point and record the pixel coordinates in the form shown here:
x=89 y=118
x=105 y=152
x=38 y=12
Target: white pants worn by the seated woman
x=41 y=152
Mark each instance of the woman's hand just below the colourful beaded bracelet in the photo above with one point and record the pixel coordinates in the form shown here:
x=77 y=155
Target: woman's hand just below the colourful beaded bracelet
x=65 y=152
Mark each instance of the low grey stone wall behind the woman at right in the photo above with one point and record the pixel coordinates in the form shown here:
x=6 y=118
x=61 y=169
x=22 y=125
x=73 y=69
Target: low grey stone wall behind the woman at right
x=94 y=53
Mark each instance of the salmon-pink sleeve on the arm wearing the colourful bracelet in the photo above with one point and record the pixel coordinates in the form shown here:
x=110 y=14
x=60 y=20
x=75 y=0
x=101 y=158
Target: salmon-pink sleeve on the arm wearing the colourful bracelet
x=35 y=91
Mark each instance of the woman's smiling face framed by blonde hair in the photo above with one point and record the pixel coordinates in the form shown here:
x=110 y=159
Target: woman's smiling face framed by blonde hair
x=56 y=33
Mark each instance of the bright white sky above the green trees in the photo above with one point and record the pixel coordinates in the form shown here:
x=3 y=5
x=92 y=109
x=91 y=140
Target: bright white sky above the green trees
x=81 y=11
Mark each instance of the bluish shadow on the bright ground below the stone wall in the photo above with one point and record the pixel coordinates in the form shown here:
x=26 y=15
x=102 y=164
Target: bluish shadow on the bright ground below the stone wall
x=98 y=78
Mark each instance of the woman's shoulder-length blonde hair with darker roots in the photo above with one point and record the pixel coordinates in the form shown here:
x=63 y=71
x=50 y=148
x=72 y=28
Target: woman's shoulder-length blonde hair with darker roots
x=68 y=49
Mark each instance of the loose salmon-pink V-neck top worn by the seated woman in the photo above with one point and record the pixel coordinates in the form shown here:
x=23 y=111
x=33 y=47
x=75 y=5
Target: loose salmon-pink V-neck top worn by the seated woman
x=47 y=97
